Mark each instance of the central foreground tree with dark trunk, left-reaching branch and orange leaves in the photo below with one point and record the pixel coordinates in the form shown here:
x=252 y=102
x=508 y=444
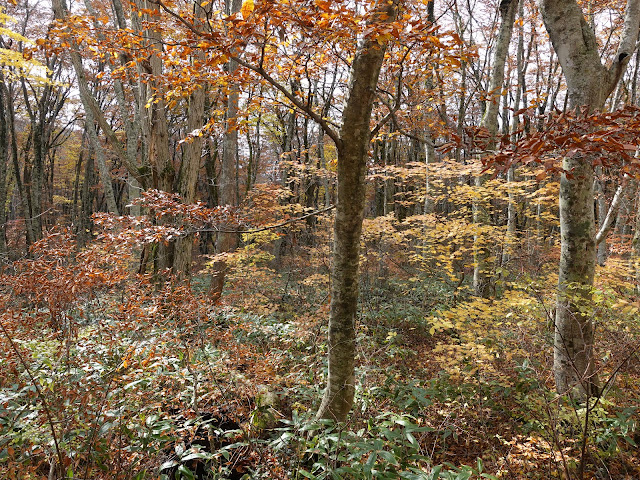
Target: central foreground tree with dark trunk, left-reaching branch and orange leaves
x=351 y=141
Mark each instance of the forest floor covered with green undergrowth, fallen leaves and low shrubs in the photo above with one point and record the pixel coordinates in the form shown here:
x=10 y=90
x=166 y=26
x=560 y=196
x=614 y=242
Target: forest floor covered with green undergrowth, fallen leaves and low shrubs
x=140 y=381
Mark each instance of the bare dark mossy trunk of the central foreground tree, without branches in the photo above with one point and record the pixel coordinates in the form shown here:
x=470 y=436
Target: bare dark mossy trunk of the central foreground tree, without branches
x=352 y=165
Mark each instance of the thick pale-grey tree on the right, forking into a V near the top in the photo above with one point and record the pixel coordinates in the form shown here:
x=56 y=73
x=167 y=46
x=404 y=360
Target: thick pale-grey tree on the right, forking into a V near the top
x=589 y=84
